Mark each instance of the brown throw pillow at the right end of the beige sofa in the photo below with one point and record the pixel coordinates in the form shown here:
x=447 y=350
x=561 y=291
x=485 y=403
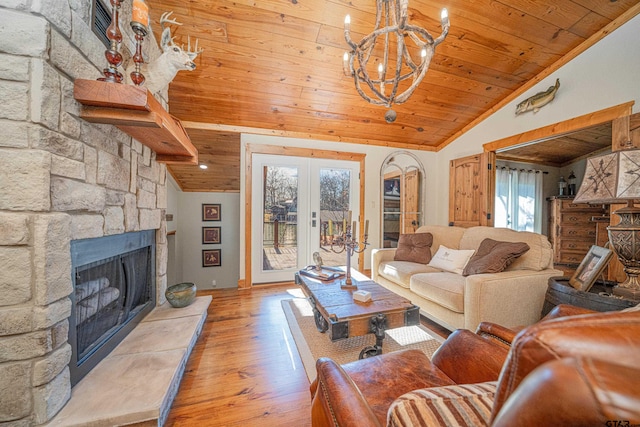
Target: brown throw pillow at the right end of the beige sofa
x=493 y=256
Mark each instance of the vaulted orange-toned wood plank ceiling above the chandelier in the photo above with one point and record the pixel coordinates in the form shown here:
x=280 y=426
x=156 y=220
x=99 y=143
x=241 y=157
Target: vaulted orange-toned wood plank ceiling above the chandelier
x=275 y=67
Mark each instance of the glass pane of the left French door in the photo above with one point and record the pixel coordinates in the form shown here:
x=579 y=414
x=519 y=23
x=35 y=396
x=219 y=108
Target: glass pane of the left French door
x=280 y=224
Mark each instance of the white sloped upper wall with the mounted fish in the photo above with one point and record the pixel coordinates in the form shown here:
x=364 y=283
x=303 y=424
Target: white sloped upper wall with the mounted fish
x=606 y=75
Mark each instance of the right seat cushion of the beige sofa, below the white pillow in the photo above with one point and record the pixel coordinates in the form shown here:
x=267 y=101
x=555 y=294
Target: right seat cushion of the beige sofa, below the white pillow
x=444 y=288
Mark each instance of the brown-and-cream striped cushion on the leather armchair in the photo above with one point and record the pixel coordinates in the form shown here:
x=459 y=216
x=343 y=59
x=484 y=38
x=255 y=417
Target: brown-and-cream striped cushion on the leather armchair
x=455 y=405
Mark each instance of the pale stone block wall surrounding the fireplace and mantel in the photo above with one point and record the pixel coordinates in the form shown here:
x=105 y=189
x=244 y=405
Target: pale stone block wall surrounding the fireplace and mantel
x=61 y=179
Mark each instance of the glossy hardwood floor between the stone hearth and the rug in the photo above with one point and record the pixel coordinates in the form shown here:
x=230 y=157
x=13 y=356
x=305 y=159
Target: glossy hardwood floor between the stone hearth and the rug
x=245 y=369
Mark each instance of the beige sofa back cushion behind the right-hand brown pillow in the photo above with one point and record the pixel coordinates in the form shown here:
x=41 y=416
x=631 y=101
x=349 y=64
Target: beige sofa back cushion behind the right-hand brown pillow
x=537 y=258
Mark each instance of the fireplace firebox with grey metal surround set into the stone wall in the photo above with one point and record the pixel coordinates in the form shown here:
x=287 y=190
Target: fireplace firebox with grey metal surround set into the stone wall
x=114 y=288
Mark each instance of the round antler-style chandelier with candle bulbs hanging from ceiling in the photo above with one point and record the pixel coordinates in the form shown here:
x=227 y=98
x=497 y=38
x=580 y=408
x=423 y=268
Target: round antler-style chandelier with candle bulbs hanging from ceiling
x=396 y=69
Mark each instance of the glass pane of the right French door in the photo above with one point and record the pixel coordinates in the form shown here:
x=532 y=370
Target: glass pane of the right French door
x=335 y=192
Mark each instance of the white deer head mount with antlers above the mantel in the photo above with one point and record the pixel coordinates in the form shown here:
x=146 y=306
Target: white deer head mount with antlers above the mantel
x=160 y=72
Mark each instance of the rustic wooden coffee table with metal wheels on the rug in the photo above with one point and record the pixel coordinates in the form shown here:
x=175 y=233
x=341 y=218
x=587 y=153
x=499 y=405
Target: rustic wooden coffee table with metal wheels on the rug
x=336 y=311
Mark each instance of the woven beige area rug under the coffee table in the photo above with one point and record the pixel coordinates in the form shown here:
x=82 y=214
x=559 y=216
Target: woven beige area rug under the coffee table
x=313 y=344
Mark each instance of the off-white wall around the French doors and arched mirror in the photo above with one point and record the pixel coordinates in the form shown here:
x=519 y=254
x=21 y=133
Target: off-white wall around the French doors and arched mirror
x=374 y=157
